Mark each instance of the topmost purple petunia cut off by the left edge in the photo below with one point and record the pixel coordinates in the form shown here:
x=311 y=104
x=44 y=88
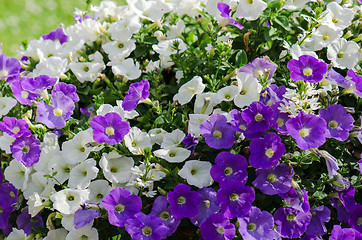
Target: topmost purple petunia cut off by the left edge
x=9 y=68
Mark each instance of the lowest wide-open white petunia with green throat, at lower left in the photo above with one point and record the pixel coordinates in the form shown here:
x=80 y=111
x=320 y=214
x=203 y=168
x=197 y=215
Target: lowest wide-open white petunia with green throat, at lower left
x=68 y=201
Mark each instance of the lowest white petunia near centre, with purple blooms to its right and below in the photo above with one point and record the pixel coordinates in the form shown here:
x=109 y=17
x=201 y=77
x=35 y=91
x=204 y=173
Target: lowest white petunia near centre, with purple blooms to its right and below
x=197 y=173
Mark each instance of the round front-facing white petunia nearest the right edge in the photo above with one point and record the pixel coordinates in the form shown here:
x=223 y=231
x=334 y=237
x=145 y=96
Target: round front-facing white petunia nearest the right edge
x=343 y=53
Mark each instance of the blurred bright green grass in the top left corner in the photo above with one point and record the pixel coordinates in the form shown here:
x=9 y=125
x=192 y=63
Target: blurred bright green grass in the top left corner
x=29 y=19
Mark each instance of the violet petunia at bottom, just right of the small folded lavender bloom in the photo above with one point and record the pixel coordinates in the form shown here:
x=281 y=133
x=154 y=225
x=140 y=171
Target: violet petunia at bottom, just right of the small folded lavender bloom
x=121 y=205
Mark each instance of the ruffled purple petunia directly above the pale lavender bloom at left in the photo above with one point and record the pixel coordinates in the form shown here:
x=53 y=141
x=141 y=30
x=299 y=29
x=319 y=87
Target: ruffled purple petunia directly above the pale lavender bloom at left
x=38 y=84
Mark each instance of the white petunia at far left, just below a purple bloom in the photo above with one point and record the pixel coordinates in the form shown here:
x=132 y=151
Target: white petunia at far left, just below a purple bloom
x=17 y=174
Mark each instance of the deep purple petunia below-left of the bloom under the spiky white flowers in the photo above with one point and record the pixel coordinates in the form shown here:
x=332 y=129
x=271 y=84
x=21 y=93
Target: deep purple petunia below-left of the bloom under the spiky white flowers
x=265 y=153
